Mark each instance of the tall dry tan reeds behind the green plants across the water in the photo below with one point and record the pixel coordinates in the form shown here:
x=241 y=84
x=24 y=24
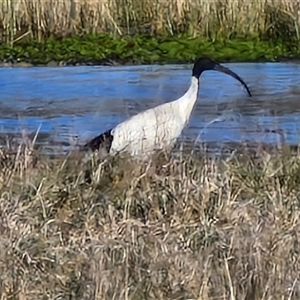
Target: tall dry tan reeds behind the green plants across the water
x=196 y=17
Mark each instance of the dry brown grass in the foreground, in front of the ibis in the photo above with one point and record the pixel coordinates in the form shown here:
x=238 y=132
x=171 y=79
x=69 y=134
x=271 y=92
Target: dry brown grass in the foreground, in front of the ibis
x=199 y=228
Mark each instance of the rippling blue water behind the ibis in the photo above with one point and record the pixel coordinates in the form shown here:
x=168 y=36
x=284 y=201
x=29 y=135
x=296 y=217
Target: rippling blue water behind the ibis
x=84 y=101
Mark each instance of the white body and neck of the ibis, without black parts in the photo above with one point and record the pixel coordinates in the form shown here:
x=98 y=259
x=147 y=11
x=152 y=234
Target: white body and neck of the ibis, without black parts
x=156 y=128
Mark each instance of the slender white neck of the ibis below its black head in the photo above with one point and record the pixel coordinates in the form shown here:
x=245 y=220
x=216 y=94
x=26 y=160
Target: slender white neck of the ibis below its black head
x=188 y=100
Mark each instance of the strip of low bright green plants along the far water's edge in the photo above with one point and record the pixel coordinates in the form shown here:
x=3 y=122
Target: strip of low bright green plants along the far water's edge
x=109 y=49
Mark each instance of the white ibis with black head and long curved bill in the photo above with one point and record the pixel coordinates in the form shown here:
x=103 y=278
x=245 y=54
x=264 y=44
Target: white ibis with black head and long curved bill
x=159 y=127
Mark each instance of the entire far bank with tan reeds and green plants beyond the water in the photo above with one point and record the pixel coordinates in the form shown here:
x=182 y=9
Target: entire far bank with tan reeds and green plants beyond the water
x=134 y=32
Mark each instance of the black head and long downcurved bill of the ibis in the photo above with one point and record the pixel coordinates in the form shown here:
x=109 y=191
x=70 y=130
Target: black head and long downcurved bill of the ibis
x=206 y=64
